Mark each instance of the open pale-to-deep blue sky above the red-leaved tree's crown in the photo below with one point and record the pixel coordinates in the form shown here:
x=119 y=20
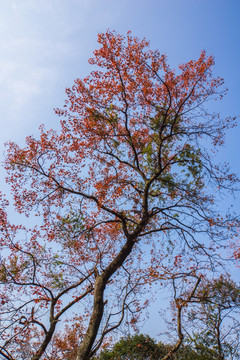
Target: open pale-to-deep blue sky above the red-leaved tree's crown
x=45 y=45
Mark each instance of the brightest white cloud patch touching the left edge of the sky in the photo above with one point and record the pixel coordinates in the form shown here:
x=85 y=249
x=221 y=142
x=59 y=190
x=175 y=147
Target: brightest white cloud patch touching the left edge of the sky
x=24 y=73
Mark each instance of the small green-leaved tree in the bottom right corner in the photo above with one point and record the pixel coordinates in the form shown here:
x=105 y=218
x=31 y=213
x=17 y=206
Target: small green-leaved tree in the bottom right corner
x=216 y=318
